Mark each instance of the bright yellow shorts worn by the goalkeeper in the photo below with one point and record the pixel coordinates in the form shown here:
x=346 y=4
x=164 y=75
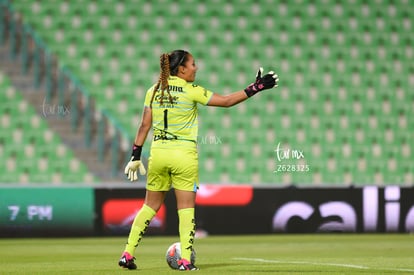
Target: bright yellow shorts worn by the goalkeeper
x=173 y=167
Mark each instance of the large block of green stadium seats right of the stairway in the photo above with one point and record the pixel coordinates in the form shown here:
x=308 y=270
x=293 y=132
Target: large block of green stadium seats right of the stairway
x=346 y=79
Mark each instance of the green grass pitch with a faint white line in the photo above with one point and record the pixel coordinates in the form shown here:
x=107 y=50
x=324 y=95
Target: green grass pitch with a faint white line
x=263 y=254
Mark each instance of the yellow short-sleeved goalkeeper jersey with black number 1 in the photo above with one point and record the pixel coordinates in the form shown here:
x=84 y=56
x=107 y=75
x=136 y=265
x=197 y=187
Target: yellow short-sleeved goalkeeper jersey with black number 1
x=176 y=120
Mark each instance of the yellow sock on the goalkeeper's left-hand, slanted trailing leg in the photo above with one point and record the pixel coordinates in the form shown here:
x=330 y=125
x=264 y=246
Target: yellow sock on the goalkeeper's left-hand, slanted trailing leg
x=138 y=228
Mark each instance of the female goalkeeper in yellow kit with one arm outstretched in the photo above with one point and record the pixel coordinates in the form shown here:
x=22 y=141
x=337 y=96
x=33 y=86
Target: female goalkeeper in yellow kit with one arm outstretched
x=170 y=109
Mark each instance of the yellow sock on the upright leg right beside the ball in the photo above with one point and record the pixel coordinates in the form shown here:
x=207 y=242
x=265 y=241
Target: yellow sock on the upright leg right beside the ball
x=187 y=229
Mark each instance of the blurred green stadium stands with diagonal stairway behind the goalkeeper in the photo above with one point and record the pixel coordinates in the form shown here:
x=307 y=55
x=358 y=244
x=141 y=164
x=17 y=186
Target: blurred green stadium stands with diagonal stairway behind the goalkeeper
x=73 y=76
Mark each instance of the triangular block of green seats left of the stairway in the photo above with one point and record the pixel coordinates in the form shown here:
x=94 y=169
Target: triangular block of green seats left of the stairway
x=30 y=152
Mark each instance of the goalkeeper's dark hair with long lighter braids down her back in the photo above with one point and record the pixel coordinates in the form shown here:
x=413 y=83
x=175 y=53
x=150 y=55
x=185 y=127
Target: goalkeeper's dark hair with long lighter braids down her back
x=169 y=63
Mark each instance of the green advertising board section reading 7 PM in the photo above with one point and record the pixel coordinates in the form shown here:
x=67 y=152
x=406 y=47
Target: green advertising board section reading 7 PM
x=46 y=211
